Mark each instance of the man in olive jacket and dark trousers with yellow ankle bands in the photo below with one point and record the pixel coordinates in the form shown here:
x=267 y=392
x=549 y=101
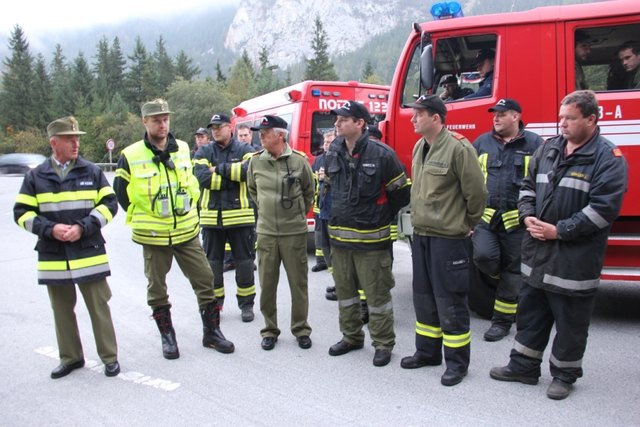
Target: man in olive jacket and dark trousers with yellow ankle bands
x=447 y=200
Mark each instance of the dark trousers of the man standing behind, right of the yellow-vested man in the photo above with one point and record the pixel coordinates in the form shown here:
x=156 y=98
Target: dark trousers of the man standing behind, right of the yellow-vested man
x=240 y=240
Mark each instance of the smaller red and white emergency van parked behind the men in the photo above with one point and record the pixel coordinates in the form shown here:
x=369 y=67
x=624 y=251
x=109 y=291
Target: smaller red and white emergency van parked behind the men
x=306 y=107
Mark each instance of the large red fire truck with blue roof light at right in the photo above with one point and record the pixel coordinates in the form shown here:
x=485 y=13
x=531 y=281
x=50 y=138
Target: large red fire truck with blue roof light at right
x=535 y=63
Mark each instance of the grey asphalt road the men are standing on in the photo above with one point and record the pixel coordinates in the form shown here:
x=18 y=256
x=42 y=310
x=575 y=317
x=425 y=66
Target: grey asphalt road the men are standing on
x=287 y=386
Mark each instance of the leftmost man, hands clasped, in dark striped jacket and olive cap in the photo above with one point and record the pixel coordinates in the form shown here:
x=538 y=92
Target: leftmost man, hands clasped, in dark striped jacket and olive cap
x=65 y=202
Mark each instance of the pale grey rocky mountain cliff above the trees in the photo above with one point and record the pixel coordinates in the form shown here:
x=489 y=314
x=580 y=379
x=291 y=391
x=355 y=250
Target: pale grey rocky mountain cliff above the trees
x=285 y=27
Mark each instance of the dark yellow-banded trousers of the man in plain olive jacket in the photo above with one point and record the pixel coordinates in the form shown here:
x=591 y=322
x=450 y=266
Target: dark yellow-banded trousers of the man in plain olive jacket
x=440 y=288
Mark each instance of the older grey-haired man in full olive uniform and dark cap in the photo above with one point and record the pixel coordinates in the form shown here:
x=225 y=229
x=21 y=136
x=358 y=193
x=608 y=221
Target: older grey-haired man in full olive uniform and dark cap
x=281 y=183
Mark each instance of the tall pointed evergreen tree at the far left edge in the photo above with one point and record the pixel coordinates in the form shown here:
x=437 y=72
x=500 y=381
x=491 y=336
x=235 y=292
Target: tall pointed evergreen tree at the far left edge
x=18 y=102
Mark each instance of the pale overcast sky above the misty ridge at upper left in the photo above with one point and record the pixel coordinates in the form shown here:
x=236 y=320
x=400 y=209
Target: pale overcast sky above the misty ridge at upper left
x=41 y=15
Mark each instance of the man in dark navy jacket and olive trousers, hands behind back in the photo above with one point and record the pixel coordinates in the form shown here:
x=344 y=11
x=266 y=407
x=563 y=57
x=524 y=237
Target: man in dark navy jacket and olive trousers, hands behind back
x=368 y=187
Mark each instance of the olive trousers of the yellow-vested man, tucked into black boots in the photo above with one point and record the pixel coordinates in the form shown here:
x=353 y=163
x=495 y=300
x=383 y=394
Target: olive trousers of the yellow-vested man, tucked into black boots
x=193 y=263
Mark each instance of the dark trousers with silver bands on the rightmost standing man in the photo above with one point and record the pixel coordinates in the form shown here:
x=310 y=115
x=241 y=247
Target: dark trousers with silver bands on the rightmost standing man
x=538 y=310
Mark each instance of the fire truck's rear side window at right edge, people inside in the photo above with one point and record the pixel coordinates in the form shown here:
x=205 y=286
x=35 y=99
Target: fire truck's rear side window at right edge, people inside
x=606 y=58
